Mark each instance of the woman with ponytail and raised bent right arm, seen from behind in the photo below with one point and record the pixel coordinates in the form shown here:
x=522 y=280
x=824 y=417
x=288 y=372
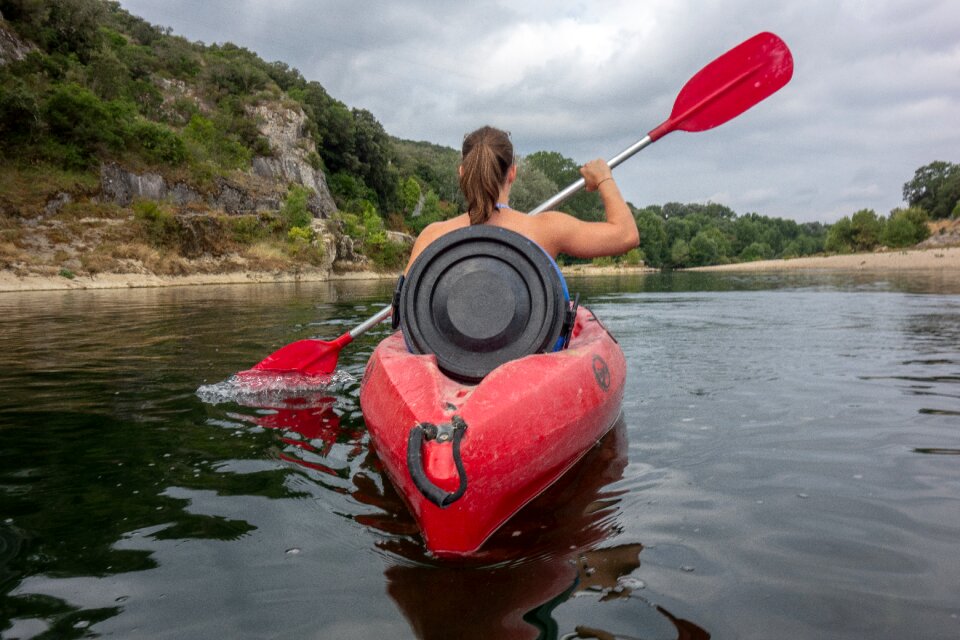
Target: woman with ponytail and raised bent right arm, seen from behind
x=487 y=173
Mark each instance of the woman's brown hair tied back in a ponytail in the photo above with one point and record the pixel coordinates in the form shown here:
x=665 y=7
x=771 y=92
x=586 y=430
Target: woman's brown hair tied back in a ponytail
x=487 y=158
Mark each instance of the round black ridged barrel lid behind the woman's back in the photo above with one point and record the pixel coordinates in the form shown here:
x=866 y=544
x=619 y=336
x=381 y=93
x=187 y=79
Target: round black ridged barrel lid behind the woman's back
x=481 y=296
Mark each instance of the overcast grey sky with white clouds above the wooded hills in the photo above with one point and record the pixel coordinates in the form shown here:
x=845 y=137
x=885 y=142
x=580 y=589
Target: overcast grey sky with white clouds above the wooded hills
x=875 y=93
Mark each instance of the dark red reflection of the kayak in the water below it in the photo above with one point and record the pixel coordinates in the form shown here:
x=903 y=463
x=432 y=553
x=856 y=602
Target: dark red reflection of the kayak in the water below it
x=521 y=585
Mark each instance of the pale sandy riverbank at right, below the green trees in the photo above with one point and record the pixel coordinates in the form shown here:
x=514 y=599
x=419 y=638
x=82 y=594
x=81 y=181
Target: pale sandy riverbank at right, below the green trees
x=944 y=258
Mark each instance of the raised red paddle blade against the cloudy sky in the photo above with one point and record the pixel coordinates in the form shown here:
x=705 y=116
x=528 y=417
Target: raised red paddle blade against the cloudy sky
x=731 y=84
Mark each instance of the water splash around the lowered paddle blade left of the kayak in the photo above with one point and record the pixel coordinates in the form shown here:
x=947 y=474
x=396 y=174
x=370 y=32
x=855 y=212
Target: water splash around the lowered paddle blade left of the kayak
x=269 y=389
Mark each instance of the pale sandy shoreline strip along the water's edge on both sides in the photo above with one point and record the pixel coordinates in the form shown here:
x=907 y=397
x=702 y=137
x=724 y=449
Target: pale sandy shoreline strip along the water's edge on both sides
x=934 y=259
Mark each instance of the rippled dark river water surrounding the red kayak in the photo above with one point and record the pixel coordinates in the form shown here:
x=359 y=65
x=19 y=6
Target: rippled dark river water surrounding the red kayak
x=788 y=465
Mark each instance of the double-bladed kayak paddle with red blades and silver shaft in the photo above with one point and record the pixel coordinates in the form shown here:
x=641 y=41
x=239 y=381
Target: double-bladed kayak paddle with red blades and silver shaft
x=722 y=90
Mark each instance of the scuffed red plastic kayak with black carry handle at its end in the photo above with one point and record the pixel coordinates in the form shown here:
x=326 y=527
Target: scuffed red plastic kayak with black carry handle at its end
x=467 y=457
